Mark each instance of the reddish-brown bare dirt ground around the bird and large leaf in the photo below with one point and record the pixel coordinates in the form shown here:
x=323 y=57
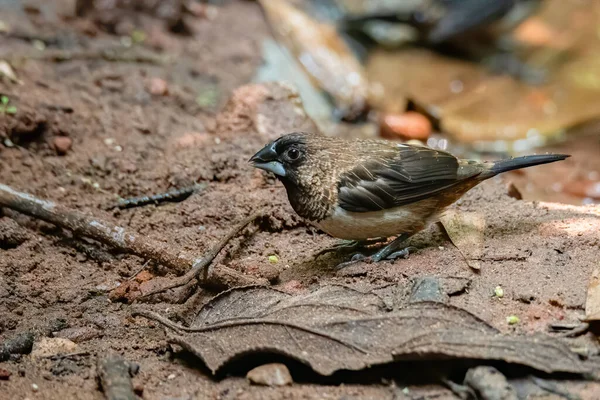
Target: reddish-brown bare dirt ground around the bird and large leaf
x=94 y=123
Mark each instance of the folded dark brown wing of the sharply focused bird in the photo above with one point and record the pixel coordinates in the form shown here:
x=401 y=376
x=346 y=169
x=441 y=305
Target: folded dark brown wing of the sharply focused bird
x=395 y=178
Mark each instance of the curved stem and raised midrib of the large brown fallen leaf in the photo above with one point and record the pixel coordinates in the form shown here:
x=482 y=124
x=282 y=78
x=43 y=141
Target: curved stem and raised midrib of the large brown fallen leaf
x=243 y=322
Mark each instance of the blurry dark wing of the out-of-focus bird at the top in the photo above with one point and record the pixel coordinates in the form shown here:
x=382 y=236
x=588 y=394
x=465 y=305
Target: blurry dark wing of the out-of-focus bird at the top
x=464 y=15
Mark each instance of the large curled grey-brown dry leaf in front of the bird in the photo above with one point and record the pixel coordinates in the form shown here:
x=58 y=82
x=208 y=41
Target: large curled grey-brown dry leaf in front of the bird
x=337 y=328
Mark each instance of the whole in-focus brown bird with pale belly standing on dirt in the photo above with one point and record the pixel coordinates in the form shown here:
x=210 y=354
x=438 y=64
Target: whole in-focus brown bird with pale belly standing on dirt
x=369 y=190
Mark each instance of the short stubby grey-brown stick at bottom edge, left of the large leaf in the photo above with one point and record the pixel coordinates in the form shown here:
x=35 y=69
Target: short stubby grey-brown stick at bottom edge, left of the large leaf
x=114 y=374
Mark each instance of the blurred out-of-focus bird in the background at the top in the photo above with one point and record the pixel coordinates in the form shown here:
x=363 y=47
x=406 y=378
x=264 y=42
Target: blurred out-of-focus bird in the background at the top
x=474 y=30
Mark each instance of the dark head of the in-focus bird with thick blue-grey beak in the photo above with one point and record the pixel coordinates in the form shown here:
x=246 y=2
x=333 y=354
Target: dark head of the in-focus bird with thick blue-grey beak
x=284 y=156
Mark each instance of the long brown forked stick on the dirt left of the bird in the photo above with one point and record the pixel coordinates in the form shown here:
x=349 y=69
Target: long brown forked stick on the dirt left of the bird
x=118 y=237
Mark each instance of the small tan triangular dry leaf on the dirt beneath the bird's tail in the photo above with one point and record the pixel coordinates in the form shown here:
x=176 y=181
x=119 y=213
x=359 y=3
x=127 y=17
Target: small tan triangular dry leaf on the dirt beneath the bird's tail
x=466 y=231
